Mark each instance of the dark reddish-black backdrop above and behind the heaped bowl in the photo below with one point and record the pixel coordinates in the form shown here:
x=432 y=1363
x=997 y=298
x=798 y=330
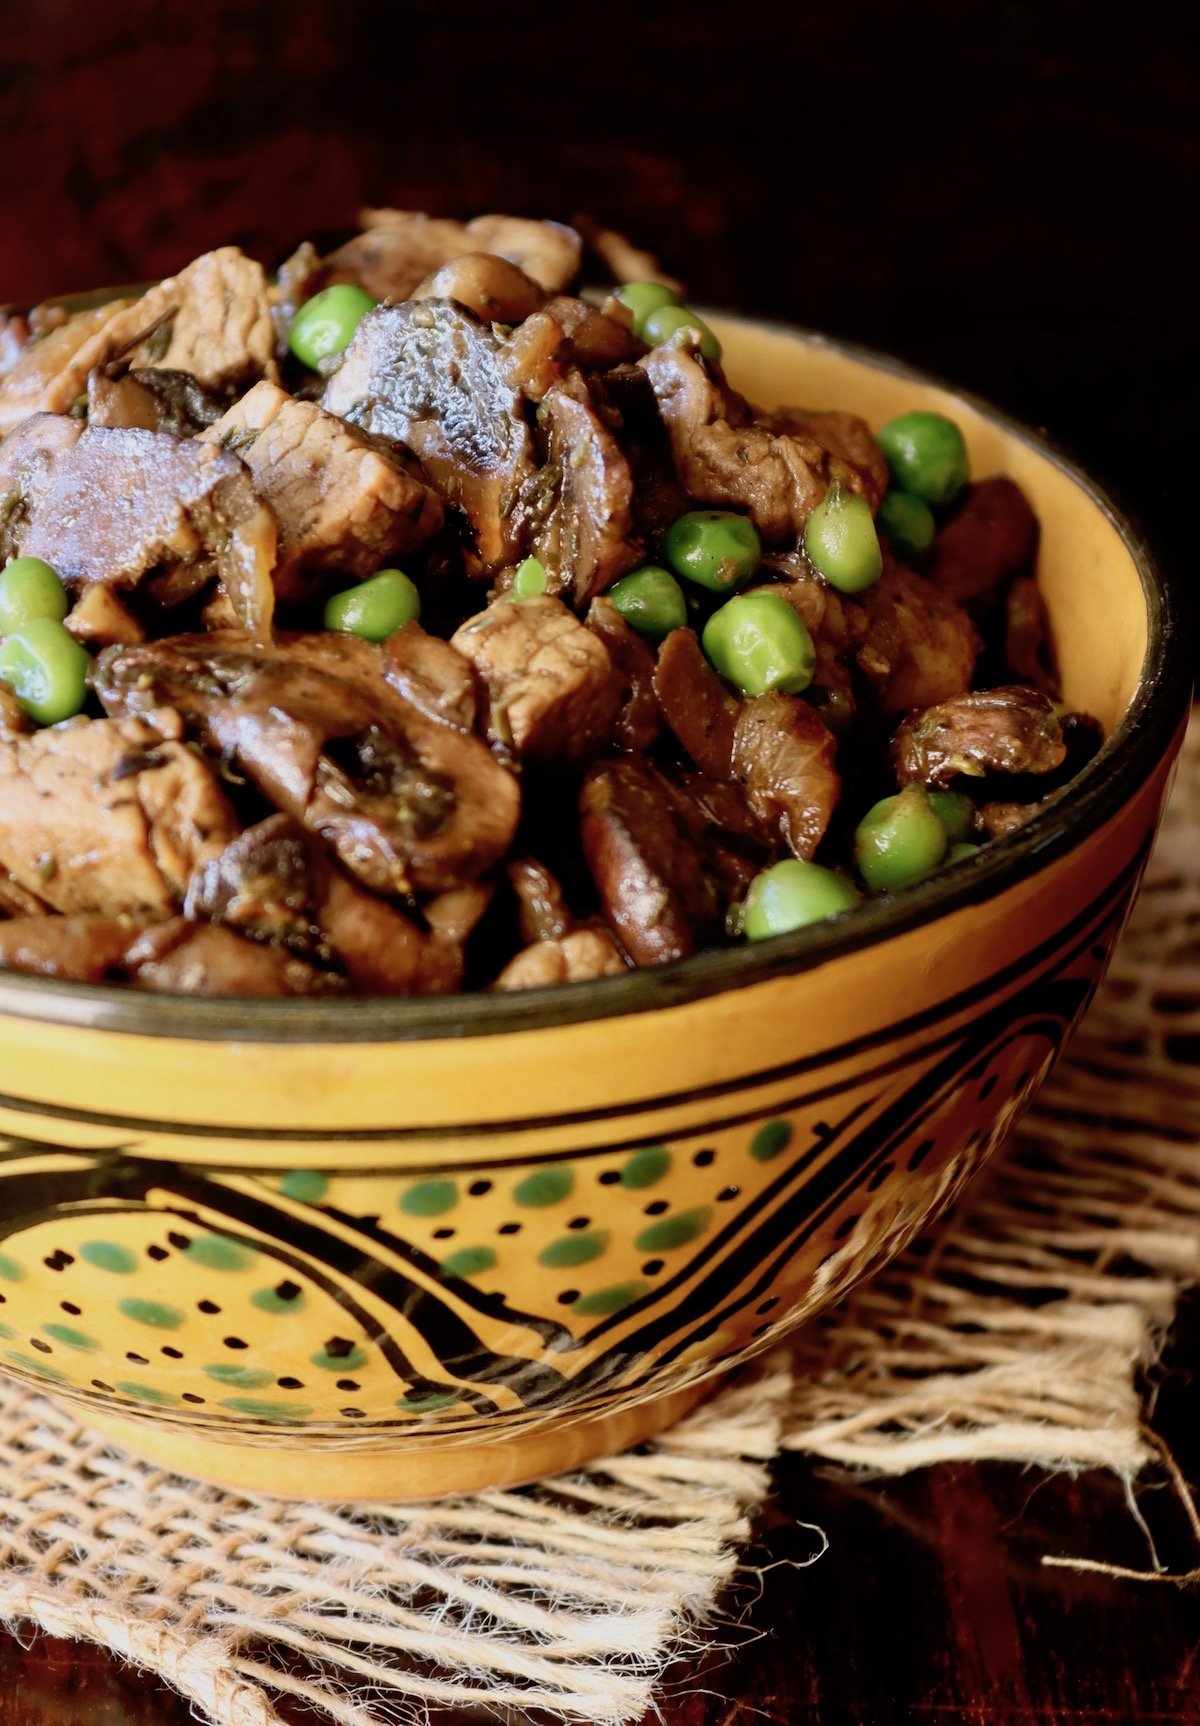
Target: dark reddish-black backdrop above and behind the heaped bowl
x=1002 y=192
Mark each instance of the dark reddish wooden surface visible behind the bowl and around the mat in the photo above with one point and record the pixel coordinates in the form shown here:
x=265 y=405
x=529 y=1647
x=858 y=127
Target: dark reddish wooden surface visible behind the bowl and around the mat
x=1006 y=196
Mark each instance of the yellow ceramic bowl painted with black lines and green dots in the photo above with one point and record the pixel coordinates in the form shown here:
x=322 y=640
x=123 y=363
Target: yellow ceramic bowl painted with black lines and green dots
x=391 y=1249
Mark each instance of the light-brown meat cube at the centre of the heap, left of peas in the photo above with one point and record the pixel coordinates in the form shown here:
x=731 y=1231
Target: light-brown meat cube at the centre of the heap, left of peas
x=553 y=693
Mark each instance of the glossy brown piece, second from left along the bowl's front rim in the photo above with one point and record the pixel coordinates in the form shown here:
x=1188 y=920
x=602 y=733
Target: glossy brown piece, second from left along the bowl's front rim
x=203 y=959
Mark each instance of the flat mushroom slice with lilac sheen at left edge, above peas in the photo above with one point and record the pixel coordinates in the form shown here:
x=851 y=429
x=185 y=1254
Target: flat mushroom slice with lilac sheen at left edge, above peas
x=117 y=507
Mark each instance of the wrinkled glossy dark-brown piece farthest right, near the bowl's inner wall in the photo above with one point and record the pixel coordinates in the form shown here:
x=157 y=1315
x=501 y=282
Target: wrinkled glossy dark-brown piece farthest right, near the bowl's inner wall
x=990 y=731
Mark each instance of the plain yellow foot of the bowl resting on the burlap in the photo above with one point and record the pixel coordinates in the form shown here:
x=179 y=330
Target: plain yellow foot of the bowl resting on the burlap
x=400 y=1477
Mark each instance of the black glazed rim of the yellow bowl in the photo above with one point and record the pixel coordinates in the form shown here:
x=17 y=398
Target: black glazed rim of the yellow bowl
x=1104 y=786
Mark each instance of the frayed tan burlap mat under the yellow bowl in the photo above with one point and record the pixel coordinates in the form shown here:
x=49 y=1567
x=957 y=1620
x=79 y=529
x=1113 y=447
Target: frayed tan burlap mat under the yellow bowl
x=1020 y=1330
